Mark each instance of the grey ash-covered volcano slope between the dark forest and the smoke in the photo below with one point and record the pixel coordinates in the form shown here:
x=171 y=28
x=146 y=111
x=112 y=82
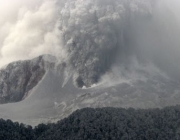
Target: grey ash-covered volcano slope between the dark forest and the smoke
x=54 y=96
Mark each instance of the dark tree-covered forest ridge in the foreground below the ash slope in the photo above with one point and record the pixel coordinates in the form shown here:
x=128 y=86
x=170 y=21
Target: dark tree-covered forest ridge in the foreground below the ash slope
x=102 y=124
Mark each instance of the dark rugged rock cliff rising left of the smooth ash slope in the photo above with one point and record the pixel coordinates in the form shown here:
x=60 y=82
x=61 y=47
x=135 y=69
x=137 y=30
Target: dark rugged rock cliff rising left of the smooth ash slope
x=17 y=79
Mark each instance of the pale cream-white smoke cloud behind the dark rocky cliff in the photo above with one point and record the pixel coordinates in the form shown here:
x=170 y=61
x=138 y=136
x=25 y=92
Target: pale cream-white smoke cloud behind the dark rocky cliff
x=28 y=29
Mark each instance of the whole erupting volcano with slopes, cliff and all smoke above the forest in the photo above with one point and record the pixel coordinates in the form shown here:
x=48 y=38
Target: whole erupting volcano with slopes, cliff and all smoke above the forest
x=60 y=56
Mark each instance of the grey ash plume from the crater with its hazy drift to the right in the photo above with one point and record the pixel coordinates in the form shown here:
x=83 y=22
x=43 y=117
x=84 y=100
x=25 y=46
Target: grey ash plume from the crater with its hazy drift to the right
x=128 y=34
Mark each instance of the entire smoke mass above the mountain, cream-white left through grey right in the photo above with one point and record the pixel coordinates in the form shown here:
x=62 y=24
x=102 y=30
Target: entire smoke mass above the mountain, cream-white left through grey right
x=94 y=36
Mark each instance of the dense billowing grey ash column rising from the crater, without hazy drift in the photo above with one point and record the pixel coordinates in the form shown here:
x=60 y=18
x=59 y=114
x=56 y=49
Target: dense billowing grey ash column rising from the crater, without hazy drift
x=96 y=31
